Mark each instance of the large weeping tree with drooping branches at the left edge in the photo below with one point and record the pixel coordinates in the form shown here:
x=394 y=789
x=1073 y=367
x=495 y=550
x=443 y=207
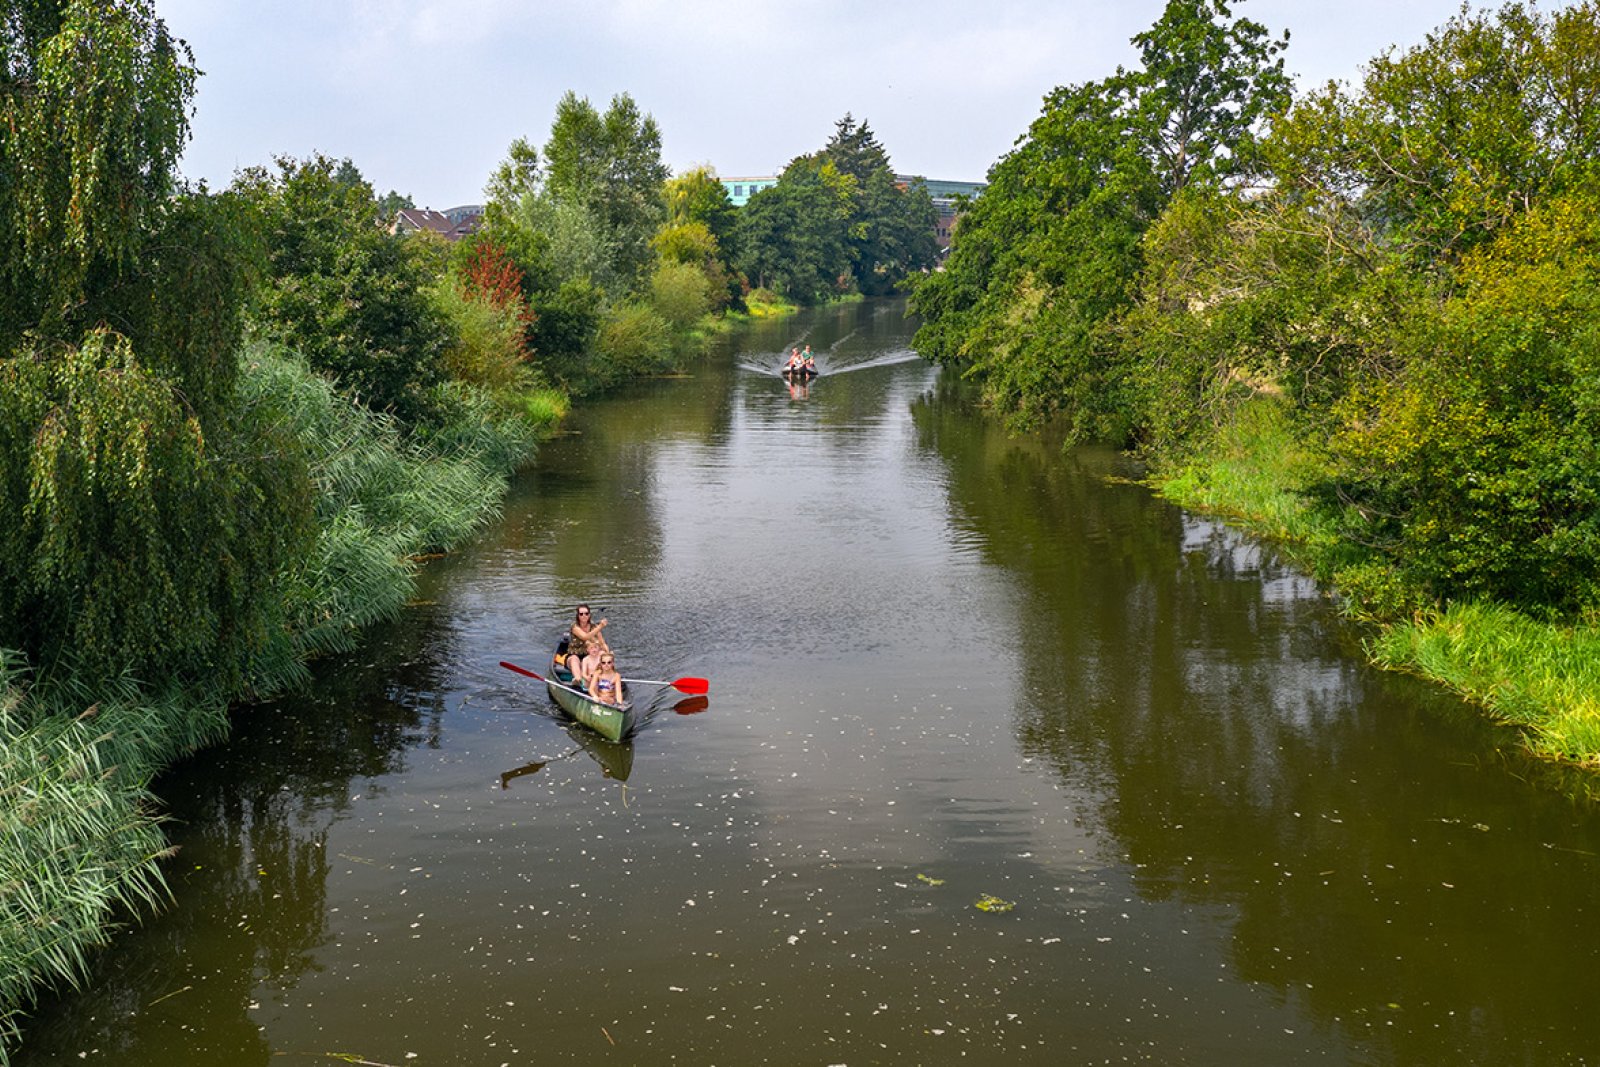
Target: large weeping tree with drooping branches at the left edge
x=146 y=535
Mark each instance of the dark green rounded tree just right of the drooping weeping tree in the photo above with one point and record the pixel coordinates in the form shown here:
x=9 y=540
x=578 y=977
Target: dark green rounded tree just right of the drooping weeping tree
x=343 y=292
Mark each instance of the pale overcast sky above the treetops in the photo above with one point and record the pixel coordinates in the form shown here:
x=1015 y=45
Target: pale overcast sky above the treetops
x=426 y=95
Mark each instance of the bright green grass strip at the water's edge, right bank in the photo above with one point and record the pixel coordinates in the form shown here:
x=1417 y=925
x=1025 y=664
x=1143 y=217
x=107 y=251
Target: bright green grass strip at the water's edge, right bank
x=1540 y=679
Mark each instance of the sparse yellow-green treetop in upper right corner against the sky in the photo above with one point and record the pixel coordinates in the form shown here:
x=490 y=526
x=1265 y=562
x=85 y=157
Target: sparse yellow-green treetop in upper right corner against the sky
x=1447 y=142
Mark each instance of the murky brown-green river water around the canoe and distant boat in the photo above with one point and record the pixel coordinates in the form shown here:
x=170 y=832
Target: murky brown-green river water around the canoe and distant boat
x=948 y=669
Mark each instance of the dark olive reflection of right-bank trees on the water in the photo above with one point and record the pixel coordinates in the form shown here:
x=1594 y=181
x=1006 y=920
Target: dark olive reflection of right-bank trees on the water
x=1383 y=874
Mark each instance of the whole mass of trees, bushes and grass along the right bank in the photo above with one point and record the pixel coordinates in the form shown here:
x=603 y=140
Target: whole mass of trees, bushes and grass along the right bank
x=1364 y=318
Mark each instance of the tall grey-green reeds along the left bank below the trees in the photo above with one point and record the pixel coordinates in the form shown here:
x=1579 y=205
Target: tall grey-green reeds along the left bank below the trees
x=81 y=842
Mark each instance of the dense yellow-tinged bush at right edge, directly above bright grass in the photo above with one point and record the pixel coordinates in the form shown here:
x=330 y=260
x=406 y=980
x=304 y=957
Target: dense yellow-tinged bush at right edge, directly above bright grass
x=1478 y=468
